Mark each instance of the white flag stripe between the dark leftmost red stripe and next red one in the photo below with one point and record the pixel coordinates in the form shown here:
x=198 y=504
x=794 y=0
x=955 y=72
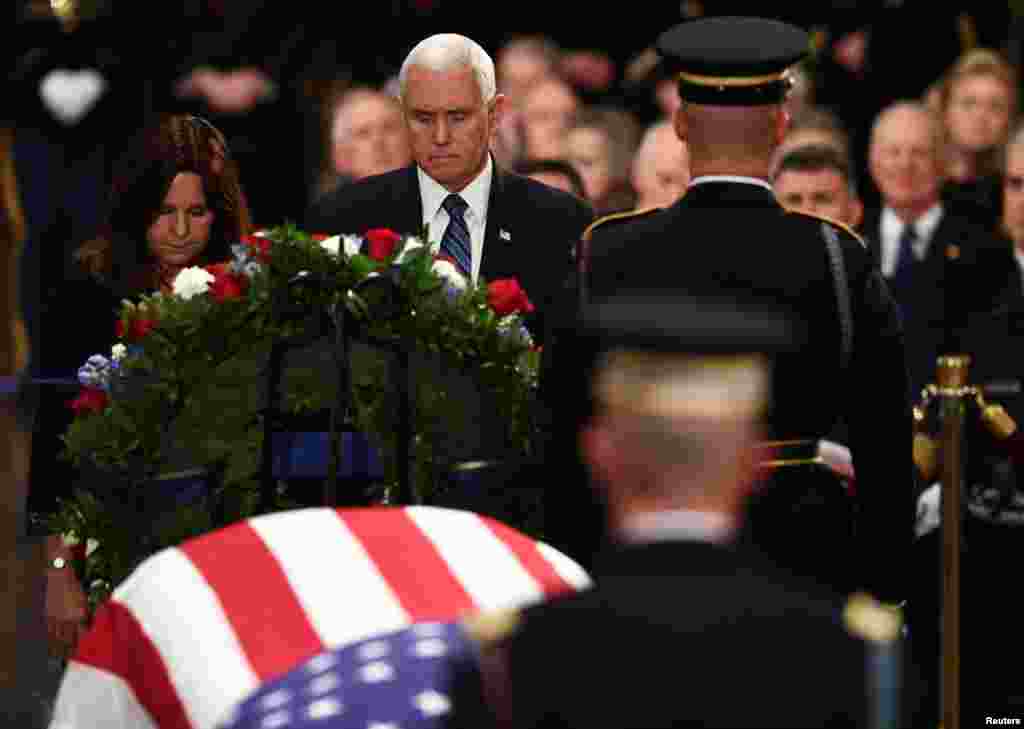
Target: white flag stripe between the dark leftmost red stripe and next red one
x=183 y=617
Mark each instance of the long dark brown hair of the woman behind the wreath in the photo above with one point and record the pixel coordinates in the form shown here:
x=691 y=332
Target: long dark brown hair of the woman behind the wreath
x=178 y=144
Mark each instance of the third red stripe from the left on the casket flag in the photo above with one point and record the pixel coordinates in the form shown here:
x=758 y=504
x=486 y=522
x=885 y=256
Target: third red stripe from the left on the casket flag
x=413 y=568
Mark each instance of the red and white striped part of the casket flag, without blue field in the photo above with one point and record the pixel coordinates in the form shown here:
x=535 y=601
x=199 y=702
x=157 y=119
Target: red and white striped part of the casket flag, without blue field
x=198 y=628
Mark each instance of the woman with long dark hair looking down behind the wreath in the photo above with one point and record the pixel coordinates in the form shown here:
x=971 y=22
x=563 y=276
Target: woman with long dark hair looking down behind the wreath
x=176 y=202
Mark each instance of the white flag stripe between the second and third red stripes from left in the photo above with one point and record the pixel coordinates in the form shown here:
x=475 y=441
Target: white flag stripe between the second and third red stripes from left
x=339 y=587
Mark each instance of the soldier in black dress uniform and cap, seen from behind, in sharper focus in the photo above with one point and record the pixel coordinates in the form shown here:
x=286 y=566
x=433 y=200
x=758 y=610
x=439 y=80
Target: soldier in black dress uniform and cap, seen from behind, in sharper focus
x=730 y=237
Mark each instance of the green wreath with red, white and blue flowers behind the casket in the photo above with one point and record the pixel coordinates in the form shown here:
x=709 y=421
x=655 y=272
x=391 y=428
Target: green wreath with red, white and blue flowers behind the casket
x=182 y=388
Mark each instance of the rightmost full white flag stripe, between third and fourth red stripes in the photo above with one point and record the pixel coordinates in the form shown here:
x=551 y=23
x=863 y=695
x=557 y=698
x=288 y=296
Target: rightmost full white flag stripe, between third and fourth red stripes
x=487 y=569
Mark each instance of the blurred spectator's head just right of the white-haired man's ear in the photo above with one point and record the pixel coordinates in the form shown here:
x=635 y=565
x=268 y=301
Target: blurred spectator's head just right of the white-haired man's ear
x=547 y=113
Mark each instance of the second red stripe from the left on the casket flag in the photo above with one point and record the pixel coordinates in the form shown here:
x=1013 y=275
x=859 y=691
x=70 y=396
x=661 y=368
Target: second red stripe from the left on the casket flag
x=268 y=618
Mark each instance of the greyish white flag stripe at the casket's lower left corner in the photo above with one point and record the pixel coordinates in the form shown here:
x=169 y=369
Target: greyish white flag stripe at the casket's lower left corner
x=91 y=699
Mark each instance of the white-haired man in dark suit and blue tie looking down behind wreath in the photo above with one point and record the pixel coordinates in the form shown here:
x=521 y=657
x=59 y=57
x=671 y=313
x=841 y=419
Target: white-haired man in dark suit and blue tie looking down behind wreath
x=493 y=224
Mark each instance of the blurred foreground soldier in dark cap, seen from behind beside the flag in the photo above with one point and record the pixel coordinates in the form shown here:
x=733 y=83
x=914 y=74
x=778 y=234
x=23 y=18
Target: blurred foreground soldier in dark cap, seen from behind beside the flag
x=684 y=627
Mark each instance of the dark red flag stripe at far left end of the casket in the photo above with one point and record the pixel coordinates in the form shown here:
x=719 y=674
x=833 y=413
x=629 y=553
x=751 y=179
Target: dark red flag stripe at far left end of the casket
x=117 y=645
